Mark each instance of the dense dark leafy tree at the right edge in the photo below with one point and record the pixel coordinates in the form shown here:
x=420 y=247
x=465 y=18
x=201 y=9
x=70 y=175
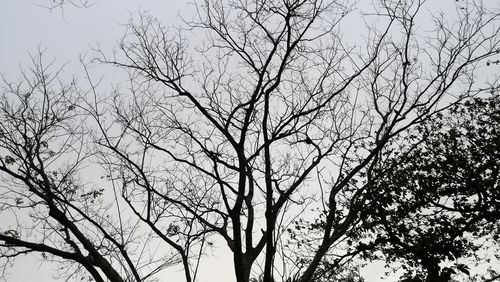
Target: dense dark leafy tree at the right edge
x=438 y=200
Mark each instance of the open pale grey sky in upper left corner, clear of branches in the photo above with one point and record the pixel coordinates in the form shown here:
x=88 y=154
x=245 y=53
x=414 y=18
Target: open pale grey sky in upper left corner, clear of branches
x=66 y=34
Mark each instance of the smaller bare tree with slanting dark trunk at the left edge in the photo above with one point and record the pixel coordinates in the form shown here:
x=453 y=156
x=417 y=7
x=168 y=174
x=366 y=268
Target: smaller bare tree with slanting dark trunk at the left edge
x=48 y=205
